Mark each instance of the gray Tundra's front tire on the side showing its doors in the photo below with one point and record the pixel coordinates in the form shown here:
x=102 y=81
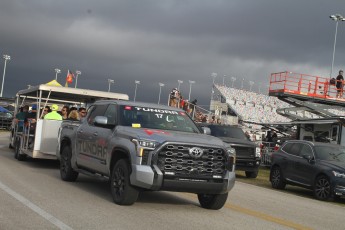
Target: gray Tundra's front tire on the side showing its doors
x=122 y=191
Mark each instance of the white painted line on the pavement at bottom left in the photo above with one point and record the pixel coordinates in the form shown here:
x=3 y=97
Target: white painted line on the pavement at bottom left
x=35 y=208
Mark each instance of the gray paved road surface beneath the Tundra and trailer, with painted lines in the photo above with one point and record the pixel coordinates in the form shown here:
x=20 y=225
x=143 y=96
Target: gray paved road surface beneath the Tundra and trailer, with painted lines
x=32 y=196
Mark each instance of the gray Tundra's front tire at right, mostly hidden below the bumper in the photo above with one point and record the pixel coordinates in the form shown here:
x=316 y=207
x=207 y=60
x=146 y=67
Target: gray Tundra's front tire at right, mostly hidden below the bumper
x=212 y=201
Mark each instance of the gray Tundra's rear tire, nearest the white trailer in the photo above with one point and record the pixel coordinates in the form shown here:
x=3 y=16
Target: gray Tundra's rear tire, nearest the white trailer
x=67 y=173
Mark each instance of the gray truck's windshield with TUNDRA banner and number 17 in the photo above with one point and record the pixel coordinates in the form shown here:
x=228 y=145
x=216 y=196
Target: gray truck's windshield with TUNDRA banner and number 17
x=155 y=118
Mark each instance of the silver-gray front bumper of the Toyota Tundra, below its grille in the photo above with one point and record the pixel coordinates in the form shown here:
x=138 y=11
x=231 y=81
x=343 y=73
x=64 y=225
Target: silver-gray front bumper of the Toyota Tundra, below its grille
x=152 y=178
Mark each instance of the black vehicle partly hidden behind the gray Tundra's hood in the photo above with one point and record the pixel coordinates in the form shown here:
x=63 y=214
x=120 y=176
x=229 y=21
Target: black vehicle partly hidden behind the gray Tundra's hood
x=247 y=152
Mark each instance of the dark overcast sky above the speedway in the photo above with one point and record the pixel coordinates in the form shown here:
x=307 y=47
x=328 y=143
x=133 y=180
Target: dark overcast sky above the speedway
x=167 y=40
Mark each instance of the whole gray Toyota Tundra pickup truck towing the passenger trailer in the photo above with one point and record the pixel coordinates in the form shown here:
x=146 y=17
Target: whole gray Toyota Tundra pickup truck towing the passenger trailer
x=141 y=146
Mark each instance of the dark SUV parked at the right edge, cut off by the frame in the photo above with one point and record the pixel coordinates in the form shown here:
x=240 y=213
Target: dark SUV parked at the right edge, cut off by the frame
x=312 y=165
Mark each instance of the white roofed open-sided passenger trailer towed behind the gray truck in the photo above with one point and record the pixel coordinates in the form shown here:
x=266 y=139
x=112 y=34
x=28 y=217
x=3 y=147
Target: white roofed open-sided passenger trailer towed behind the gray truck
x=43 y=140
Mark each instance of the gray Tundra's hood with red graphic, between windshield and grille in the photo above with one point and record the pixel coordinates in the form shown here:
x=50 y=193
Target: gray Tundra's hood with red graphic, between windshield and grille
x=162 y=136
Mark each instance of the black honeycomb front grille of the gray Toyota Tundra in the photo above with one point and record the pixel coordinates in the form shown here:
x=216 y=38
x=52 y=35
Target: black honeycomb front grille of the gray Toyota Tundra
x=175 y=159
